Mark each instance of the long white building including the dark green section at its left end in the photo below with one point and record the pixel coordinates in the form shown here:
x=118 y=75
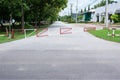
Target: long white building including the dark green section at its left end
x=98 y=14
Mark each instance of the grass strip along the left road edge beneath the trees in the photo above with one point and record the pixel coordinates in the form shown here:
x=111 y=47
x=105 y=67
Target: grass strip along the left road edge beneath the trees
x=18 y=35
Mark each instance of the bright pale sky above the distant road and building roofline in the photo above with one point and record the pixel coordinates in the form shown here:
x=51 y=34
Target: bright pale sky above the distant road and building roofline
x=81 y=5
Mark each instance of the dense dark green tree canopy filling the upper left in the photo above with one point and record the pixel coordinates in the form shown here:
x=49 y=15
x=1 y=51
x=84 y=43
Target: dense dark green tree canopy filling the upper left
x=32 y=10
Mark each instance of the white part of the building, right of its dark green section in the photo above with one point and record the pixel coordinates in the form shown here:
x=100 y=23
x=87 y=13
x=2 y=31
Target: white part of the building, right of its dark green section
x=99 y=13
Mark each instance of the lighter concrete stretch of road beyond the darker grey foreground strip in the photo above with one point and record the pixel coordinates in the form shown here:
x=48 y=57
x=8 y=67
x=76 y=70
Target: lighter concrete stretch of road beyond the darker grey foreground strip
x=78 y=40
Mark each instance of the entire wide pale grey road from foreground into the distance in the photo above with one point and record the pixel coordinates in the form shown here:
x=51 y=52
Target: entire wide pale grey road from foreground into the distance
x=76 y=56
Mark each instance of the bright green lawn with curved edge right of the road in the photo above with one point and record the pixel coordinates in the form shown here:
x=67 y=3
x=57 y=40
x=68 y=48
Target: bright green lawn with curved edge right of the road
x=104 y=35
